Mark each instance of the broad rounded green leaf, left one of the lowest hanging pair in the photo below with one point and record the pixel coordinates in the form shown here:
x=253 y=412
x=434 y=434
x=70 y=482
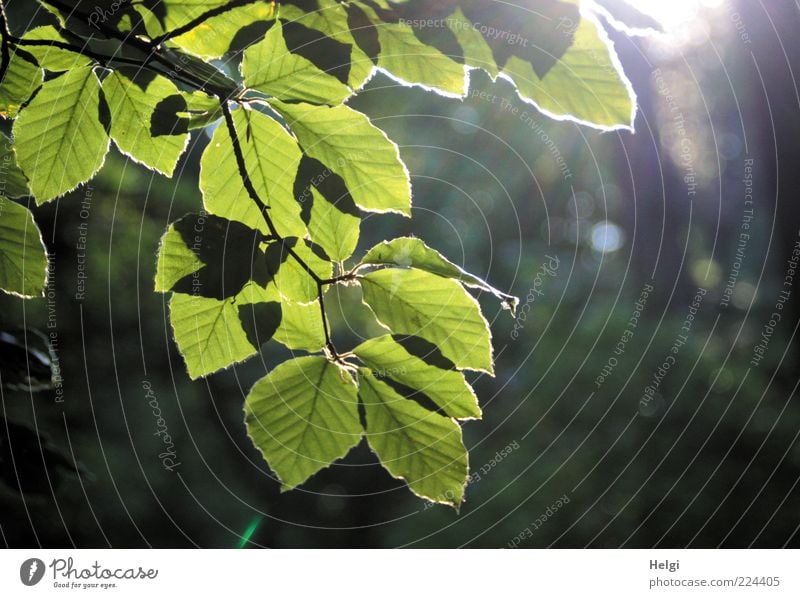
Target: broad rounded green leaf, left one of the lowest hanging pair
x=302 y=417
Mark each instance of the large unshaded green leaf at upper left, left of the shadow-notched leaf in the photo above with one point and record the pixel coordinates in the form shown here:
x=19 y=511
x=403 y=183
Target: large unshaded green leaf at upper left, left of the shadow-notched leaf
x=59 y=139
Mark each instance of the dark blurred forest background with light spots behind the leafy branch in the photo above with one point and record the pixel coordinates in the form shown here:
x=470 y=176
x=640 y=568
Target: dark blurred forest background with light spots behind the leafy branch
x=564 y=456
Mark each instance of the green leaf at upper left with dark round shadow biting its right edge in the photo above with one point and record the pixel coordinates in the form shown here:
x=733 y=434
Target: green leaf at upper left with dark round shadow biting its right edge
x=132 y=101
